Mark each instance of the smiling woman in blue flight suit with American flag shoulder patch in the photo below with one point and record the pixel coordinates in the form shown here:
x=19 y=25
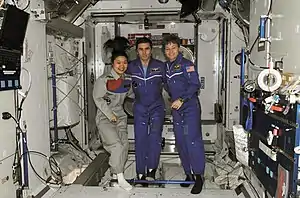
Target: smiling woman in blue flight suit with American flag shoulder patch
x=183 y=87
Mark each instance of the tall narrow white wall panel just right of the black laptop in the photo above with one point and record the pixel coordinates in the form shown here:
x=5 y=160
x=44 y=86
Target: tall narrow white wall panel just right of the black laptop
x=35 y=110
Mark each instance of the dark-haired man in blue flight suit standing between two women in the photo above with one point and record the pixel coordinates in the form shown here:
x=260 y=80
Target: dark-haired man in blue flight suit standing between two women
x=149 y=109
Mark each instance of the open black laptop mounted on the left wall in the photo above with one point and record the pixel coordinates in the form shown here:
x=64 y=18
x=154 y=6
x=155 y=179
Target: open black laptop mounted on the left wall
x=12 y=35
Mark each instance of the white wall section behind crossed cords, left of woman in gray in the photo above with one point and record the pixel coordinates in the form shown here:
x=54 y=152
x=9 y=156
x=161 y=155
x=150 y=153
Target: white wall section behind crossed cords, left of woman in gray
x=66 y=63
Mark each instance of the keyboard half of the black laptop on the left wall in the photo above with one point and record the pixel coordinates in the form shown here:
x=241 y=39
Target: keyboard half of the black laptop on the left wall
x=10 y=69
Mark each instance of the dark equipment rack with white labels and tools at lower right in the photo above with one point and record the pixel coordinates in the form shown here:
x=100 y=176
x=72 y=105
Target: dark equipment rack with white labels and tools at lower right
x=273 y=140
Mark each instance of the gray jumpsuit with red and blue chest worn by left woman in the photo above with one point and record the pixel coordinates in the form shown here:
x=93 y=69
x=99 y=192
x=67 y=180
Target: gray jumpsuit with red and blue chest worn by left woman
x=109 y=94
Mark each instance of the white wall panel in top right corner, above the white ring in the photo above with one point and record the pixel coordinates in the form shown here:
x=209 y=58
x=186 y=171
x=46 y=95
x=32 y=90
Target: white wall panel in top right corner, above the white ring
x=285 y=31
